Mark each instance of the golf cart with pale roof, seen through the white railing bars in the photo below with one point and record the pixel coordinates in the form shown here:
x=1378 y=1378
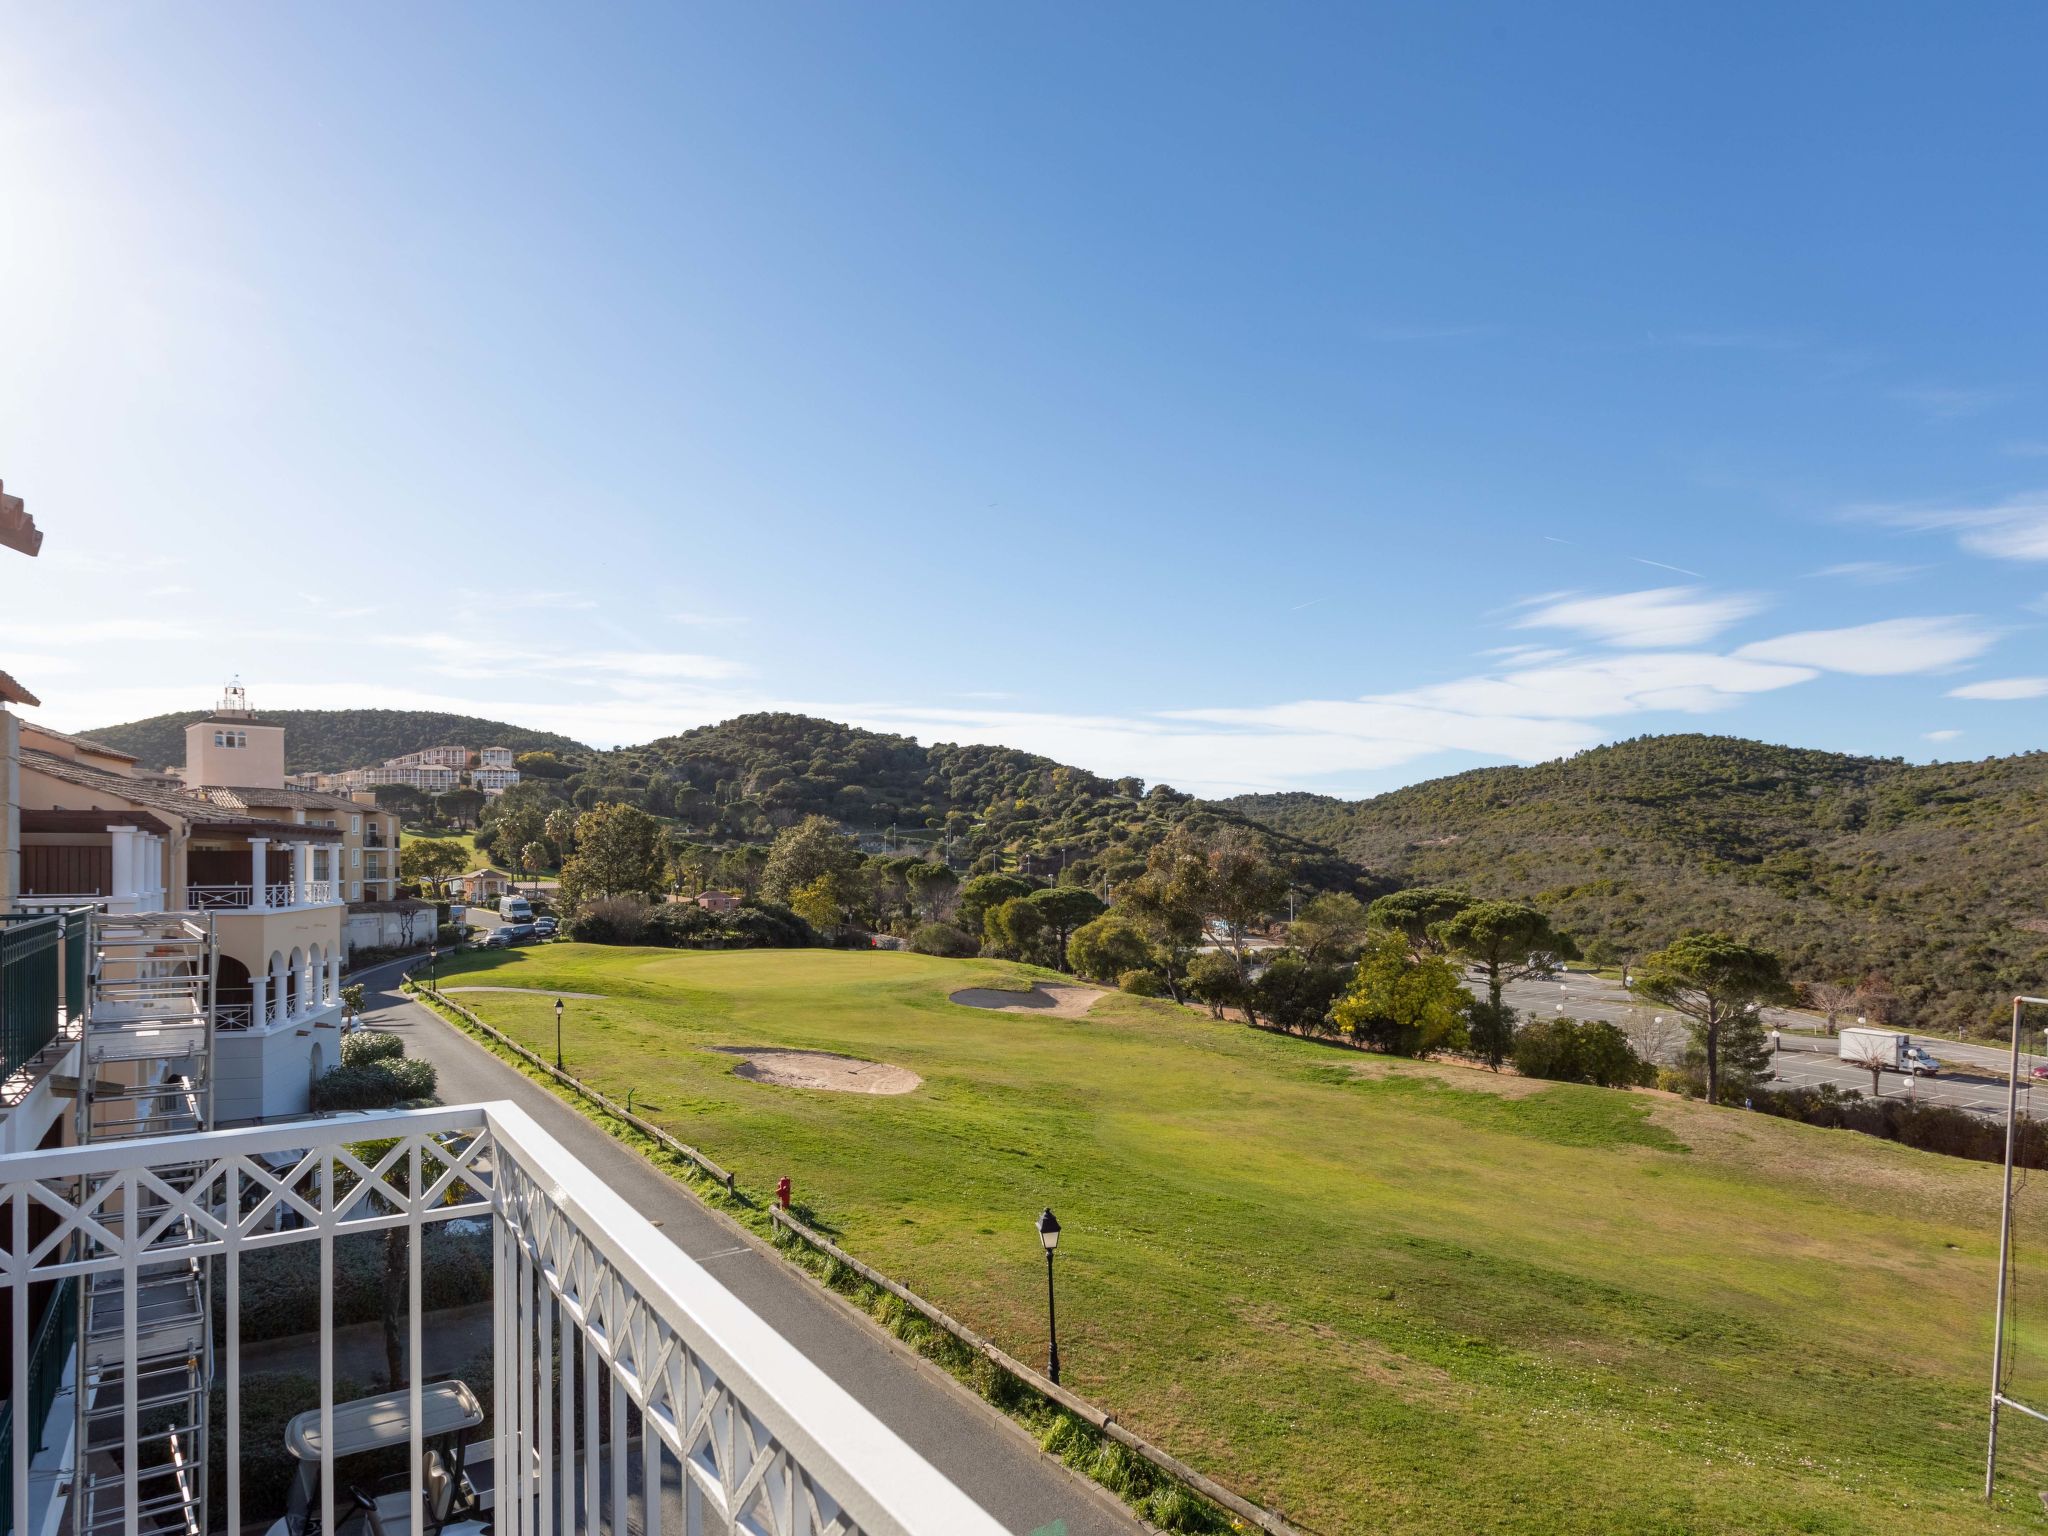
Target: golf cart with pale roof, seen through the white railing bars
x=452 y=1500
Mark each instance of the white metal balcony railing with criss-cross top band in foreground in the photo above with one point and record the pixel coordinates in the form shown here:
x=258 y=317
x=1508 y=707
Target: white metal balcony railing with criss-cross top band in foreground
x=706 y=1400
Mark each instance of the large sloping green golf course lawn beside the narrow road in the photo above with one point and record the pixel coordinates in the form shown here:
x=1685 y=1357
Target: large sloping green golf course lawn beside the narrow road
x=1375 y=1295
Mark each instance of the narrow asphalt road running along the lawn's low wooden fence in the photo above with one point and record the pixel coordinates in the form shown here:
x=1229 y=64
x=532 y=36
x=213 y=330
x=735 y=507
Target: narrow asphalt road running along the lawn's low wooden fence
x=984 y=1453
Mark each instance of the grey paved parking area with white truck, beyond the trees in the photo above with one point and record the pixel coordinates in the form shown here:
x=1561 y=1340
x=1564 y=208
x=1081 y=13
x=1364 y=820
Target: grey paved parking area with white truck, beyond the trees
x=1973 y=1078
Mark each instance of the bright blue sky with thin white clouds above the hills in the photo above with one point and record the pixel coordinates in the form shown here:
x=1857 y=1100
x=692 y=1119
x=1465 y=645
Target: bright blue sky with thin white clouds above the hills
x=1248 y=398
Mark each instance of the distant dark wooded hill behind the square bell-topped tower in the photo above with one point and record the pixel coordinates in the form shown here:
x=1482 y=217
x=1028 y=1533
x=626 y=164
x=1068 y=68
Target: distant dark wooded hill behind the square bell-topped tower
x=329 y=740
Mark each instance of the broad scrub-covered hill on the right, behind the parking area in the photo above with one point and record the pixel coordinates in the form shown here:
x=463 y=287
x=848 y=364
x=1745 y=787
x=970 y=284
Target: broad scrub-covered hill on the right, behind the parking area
x=1928 y=880
